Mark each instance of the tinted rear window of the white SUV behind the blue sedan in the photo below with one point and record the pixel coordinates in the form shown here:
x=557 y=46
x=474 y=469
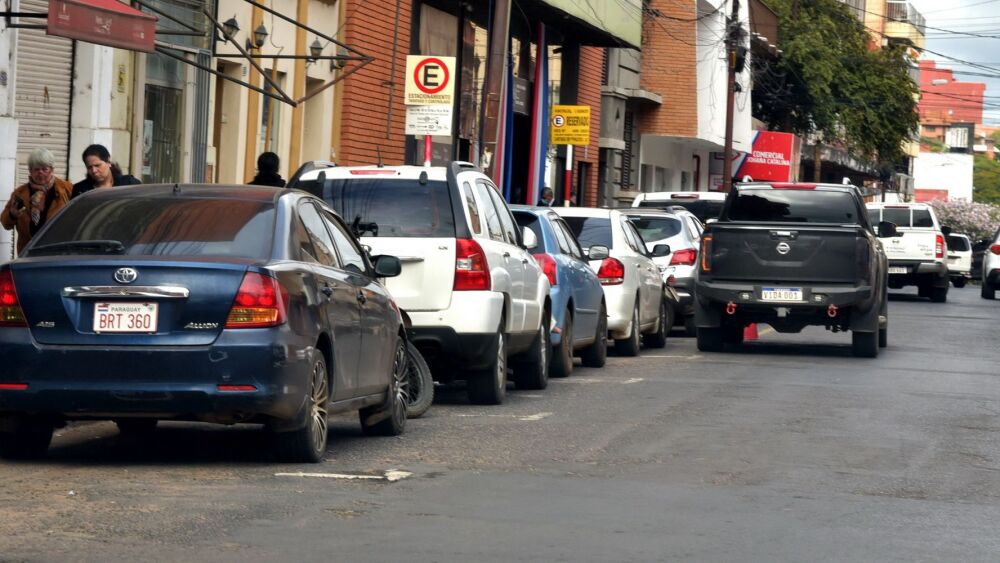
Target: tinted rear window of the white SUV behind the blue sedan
x=389 y=207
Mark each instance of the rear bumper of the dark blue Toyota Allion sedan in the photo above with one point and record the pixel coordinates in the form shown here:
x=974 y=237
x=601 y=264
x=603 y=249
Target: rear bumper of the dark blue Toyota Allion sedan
x=179 y=383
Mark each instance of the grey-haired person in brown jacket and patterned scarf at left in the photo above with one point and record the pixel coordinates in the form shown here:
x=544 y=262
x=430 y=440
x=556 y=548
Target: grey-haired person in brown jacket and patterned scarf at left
x=34 y=203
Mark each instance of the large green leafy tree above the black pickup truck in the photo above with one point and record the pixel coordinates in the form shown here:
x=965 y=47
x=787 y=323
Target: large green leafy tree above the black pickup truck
x=829 y=85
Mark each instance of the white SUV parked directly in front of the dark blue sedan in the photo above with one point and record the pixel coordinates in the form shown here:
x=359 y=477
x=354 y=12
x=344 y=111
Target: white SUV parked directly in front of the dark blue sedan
x=471 y=294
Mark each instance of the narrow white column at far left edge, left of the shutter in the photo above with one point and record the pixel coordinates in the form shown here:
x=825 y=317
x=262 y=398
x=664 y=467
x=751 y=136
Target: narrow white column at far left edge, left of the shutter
x=8 y=131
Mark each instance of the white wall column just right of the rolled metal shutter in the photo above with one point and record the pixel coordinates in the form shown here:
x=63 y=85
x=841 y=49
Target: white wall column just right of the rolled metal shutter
x=93 y=89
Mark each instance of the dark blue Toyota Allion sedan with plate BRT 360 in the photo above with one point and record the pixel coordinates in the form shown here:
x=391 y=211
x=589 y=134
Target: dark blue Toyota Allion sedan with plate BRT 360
x=207 y=303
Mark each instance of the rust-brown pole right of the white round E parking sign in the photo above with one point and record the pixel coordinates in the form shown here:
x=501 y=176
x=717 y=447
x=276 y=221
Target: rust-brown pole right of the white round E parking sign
x=496 y=70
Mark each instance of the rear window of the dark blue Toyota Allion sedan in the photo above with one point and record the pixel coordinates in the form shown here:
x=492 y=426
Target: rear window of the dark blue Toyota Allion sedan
x=160 y=227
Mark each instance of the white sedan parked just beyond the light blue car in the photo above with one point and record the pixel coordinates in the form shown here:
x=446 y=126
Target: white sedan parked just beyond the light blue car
x=633 y=288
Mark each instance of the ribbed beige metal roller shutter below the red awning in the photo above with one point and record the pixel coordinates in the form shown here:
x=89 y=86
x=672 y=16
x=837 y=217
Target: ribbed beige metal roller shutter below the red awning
x=44 y=75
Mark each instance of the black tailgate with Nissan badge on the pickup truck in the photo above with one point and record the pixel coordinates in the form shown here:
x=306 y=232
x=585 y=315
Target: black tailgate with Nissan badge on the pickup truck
x=789 y=253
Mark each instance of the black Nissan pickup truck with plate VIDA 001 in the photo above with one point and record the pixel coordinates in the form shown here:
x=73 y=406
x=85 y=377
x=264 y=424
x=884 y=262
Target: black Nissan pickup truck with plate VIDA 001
x=791 y=256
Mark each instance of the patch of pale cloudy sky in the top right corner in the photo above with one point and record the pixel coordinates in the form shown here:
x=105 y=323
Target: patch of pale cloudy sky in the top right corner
x=955 y=19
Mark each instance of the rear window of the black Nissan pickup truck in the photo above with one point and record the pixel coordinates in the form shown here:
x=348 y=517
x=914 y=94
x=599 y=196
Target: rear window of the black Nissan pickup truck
x=793 y=206
